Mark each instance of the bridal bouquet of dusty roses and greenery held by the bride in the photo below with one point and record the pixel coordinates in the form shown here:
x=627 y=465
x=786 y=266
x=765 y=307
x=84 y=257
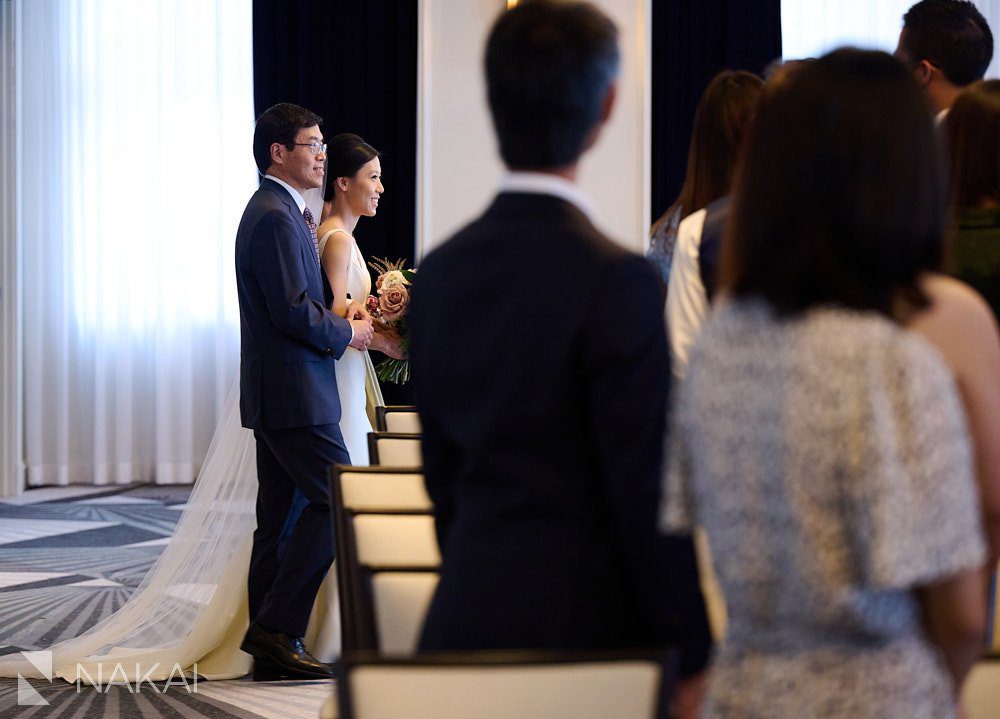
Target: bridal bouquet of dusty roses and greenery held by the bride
x=388 y=308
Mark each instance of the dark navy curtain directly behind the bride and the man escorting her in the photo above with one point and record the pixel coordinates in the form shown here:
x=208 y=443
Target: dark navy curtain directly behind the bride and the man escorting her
x=355 y=63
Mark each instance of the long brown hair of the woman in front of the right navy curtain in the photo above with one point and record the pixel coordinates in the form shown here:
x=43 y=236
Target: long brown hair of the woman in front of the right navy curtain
x=720 y=122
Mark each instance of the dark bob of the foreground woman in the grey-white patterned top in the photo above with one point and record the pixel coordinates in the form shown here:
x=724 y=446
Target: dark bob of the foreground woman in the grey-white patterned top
x=840 y=195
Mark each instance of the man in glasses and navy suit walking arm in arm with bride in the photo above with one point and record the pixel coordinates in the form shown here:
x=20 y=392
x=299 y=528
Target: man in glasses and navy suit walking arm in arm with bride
x=290 y=342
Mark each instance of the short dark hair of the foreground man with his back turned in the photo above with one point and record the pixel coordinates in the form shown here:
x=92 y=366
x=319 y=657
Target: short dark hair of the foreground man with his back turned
x=549 y=65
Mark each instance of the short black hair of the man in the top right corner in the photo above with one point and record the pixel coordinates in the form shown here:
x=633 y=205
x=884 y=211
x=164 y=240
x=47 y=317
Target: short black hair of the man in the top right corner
x=952 y=35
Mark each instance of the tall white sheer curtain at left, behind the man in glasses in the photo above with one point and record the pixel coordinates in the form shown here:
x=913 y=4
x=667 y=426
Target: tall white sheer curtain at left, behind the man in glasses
x=136 y=126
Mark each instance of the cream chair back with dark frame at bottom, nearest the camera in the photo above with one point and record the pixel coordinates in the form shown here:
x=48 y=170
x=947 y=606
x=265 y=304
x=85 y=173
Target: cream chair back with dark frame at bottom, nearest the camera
x=527 y=685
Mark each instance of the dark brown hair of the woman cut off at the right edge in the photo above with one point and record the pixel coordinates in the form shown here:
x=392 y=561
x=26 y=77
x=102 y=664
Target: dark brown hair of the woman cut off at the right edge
x=973 y=131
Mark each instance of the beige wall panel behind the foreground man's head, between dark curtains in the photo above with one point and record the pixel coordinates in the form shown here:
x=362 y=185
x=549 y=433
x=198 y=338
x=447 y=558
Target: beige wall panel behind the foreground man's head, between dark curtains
x=457 y=164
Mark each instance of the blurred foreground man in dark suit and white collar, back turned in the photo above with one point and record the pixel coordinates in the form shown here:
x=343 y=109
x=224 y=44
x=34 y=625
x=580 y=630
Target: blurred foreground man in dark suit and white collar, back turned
x=543 y=424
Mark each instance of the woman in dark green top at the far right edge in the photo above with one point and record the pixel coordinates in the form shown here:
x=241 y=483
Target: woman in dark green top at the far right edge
x=973 y=133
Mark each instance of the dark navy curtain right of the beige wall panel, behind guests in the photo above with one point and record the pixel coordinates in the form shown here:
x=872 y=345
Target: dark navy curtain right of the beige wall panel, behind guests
x=692 y=40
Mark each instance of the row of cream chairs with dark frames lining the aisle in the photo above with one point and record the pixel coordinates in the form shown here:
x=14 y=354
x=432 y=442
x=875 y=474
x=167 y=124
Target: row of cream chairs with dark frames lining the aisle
x=387 y=571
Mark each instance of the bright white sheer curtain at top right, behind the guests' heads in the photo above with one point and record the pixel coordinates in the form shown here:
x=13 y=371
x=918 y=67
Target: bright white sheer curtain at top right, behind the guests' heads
x=810 y=28
